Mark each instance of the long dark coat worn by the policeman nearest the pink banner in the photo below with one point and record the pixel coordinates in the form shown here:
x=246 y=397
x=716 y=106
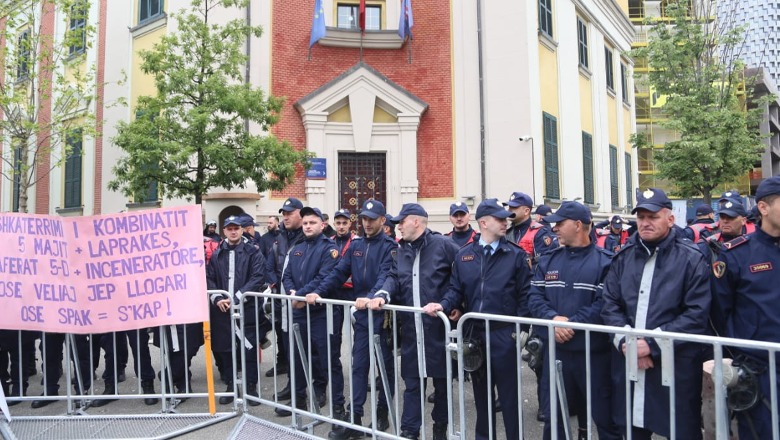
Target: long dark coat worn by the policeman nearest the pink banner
x=248 y=277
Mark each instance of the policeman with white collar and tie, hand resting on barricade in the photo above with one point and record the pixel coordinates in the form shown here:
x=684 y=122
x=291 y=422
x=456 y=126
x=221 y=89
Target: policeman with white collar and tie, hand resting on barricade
x=491 y=276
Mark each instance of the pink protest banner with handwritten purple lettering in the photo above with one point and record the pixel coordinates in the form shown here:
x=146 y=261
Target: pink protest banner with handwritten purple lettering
x=102 y=273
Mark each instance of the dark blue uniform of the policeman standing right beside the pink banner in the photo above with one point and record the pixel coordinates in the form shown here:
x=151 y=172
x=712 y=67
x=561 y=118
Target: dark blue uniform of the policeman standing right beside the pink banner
x=248 y=276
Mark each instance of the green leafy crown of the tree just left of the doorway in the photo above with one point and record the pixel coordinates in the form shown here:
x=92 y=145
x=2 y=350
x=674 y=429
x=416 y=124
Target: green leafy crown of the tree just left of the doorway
x=192 y=135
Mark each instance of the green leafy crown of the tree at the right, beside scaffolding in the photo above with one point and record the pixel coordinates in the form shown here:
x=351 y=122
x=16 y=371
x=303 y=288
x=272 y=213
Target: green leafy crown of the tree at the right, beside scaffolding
x=695 y=65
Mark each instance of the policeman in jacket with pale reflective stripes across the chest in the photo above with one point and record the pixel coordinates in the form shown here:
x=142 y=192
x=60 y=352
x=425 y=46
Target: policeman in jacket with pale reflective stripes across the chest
x=567 y=286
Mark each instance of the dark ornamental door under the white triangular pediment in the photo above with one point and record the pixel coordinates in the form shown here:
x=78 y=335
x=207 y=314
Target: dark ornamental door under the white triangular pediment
x=362 y=176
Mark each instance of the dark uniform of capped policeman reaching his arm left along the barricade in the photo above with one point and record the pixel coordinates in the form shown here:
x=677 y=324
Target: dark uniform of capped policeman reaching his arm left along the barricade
x=367 y=262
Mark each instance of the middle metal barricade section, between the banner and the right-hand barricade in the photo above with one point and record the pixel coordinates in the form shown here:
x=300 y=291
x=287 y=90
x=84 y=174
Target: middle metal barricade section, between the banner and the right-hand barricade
x=389 y=376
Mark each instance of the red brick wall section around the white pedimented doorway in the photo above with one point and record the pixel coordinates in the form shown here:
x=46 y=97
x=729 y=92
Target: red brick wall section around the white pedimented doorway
x=428 y=77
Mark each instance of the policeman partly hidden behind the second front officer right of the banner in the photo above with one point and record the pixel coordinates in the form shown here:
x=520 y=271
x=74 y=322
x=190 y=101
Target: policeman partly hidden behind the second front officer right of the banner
x=290 y=234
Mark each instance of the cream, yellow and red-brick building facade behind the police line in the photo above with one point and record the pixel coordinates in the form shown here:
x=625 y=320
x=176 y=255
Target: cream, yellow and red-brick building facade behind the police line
x=487 y=98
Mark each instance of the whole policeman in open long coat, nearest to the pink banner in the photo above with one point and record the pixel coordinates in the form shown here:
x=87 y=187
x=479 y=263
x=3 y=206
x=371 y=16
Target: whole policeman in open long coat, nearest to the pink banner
x=236 y=267
